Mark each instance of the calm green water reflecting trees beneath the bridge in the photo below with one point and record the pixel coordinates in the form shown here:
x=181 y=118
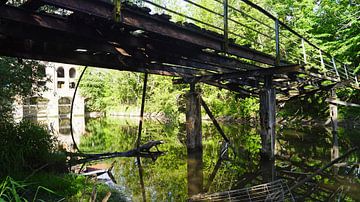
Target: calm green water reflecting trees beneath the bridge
x=166 y=179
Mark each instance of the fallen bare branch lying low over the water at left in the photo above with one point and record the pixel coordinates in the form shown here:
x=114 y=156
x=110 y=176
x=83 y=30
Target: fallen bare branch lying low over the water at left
x=142 y=151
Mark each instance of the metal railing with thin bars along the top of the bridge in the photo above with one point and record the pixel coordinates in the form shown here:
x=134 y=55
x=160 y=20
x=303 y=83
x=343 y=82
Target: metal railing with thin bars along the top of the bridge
x=245 y=23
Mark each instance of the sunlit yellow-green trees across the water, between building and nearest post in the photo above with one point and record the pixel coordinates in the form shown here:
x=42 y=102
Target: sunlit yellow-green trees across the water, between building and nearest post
x=110 y=90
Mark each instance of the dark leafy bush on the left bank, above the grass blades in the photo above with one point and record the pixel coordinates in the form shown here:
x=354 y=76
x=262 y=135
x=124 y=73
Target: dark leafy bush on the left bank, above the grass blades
x=25 y=147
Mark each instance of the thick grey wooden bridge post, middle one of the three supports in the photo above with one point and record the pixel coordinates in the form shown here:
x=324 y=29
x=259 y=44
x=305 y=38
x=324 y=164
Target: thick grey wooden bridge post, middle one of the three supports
x=267 y=118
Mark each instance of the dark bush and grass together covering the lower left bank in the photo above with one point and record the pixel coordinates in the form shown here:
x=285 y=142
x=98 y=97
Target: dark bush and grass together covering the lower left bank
x=32 y=168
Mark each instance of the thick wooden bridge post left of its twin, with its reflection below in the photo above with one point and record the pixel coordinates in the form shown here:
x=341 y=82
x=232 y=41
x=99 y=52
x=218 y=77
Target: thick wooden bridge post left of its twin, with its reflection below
x=194 y=142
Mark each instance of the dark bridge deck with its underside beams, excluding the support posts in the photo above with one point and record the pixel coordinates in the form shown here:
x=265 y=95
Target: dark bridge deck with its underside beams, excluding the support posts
x=96 y=33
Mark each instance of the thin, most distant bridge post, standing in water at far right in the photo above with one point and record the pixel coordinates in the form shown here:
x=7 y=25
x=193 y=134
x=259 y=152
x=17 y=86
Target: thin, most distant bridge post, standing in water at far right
x=334 y=124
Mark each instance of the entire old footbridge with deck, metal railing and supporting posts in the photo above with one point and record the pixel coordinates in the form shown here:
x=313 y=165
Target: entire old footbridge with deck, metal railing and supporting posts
x=252 y=55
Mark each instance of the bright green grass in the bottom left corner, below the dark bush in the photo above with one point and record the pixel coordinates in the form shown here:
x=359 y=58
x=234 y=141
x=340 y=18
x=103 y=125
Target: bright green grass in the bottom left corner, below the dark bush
x=68 y=187
